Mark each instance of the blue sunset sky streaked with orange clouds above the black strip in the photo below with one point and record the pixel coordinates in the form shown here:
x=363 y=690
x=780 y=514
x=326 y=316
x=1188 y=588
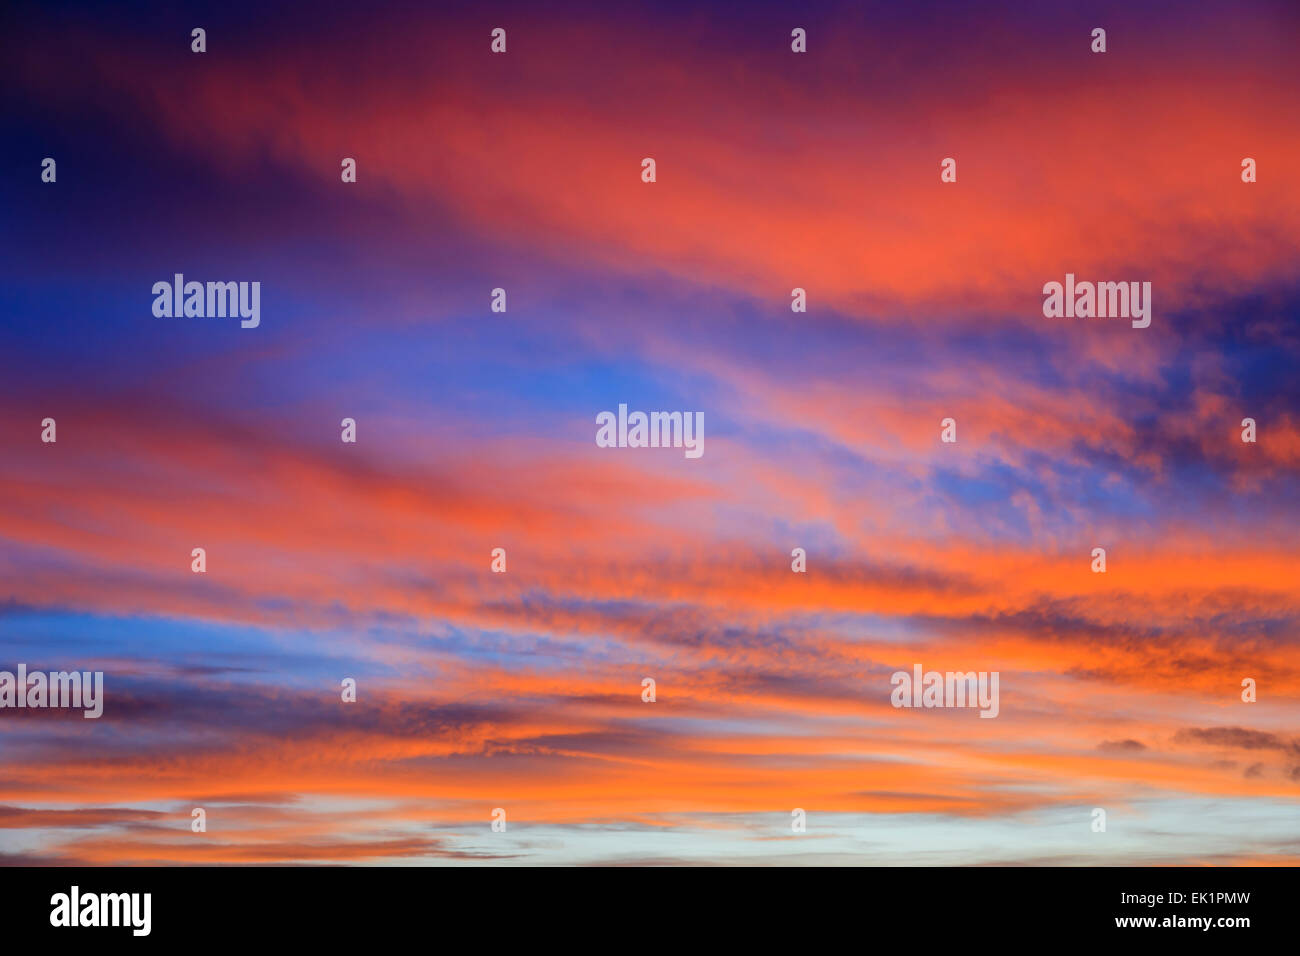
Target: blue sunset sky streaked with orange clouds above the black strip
x=476 y=430
